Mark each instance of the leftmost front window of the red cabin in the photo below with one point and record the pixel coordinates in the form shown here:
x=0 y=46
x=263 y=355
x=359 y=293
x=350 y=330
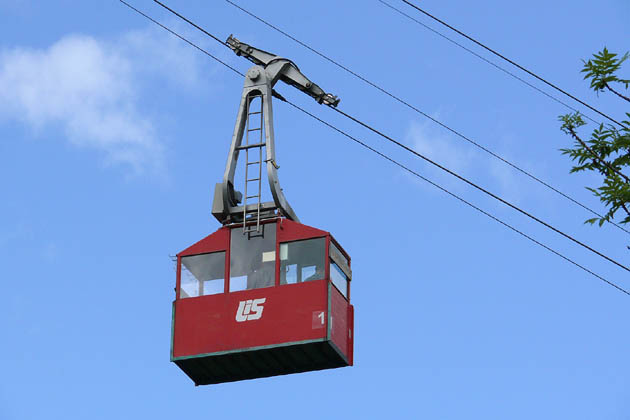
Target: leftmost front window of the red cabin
x=202 y=275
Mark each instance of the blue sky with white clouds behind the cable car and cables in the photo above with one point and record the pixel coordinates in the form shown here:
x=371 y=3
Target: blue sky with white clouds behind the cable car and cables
x=114 y=133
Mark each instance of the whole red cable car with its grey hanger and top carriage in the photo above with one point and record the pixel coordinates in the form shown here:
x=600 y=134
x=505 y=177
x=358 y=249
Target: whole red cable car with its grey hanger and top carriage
x=264 y=295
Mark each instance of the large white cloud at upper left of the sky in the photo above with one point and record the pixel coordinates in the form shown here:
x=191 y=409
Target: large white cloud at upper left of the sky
x=91 y=87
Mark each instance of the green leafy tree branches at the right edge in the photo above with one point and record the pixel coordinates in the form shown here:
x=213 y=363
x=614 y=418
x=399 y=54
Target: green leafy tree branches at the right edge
x=607 y=152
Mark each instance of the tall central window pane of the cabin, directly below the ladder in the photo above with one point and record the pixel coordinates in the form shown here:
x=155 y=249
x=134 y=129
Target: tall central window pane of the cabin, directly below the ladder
x=253 y=258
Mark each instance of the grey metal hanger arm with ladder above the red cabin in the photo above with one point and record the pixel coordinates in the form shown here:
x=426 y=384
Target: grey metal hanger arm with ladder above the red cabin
x=229 y=205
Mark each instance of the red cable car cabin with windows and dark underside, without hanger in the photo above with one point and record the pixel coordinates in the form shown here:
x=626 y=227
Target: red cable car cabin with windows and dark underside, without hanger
x=260 y=304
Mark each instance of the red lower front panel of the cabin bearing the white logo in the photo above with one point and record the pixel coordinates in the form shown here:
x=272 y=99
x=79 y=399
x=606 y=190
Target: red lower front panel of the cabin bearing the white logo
x=209 y=324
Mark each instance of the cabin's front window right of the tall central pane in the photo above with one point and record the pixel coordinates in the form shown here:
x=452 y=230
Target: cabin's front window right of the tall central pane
x=302 y=261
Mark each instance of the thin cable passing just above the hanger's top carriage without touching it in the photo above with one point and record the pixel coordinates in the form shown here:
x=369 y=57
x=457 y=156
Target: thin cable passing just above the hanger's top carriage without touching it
x=414 y=108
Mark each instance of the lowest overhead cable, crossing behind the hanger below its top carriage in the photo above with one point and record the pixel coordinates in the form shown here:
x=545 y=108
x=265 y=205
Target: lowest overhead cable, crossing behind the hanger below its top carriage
x=402 y=166
